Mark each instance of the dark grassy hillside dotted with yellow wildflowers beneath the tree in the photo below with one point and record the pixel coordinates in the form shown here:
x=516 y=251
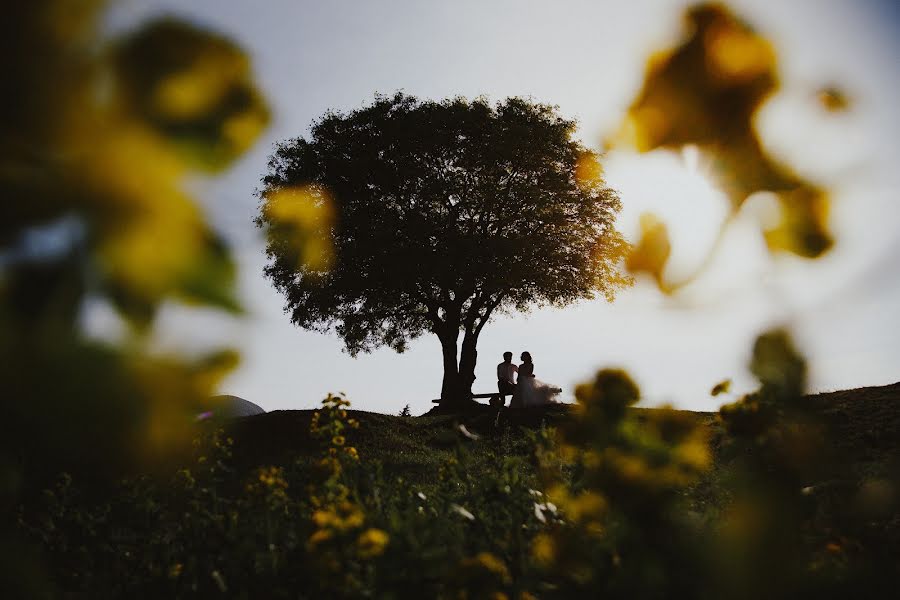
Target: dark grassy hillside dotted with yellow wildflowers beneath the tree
x=462 y=505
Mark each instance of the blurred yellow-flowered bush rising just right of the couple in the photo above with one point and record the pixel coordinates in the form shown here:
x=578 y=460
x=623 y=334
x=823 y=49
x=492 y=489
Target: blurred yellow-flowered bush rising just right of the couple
x=623 y=532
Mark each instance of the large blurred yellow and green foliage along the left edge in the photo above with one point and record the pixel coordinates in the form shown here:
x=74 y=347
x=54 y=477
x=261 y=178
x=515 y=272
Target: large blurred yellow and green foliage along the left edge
x=97 y=137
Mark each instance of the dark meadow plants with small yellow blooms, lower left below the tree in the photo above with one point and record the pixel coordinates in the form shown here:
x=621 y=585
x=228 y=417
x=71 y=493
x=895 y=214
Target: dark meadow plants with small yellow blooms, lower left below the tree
x=330 y=524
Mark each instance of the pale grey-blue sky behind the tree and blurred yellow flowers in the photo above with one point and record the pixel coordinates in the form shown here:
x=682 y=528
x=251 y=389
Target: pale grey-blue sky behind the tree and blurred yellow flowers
x=587 y=58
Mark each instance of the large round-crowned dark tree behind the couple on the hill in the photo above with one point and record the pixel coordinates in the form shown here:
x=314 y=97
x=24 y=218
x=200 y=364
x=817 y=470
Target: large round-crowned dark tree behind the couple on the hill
x=437 y=215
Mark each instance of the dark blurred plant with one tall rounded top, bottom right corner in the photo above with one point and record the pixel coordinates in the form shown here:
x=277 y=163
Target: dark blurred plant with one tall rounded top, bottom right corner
x=793 y=513
